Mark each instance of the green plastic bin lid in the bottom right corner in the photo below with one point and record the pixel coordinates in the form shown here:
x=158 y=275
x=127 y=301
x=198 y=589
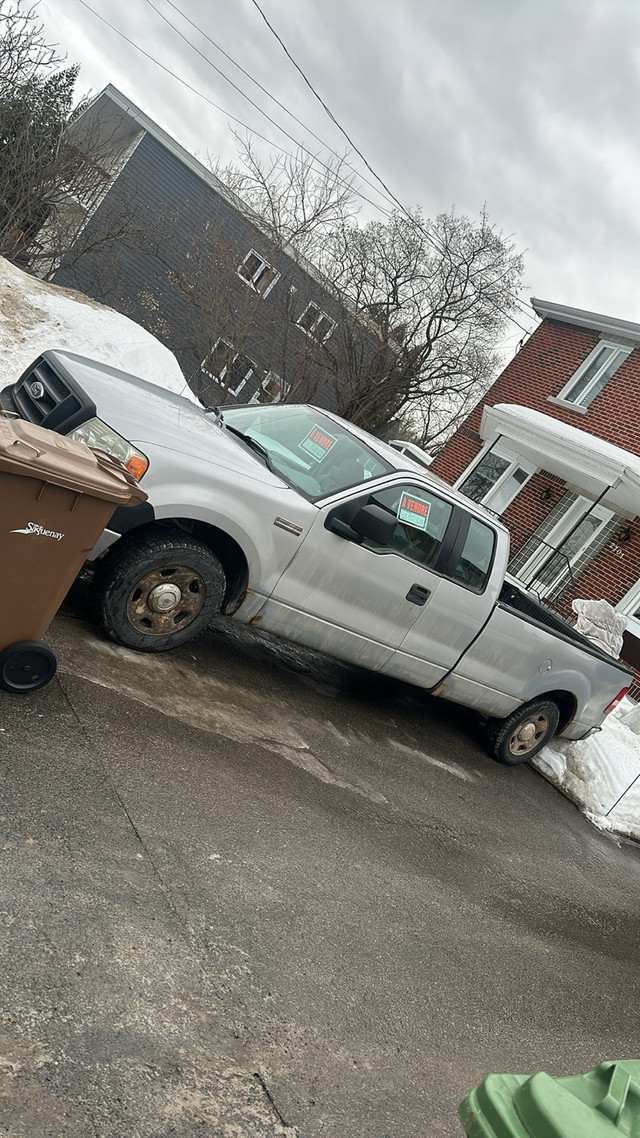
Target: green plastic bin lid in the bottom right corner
x=604 y=1103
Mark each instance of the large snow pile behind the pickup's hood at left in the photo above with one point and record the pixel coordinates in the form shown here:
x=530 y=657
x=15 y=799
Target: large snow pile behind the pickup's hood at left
x=37 y=317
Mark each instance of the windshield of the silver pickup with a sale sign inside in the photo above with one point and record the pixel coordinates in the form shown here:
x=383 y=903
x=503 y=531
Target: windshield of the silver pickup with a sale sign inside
x=311 y=452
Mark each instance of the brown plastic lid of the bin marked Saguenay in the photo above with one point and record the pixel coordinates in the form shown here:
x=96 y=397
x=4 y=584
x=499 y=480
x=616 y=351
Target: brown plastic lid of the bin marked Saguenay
x=39 y=453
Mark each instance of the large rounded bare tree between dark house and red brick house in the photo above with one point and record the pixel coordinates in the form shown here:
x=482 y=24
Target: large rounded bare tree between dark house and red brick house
x=440 y=295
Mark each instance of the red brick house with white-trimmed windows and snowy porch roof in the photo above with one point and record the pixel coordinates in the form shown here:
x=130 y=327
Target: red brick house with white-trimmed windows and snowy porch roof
x=554 y=448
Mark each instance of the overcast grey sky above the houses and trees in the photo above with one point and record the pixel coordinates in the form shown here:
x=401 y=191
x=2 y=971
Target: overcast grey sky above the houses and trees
x=528 y=108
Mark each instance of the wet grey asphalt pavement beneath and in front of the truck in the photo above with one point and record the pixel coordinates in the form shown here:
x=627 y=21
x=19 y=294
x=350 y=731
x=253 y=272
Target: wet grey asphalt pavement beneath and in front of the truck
x=251 y=892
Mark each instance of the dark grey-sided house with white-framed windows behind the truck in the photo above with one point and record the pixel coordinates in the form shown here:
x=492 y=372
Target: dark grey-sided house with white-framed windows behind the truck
x=161 y=240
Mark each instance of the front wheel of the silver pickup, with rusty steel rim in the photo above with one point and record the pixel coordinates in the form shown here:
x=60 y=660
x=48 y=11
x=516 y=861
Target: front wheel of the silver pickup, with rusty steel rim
x=159 y=591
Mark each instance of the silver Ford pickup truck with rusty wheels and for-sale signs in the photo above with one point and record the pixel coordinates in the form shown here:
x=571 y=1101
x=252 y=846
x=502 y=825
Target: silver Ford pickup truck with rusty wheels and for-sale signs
x=289 y=518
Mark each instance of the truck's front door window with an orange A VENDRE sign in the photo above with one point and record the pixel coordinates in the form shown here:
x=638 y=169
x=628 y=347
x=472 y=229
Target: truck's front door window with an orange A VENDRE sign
x=422 y=522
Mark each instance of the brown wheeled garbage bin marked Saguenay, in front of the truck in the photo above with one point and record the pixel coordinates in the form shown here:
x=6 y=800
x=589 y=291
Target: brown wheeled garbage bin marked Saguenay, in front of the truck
x=56 y=498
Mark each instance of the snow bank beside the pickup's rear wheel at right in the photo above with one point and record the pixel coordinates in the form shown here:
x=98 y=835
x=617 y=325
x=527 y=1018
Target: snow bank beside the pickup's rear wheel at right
x=602 y=774
